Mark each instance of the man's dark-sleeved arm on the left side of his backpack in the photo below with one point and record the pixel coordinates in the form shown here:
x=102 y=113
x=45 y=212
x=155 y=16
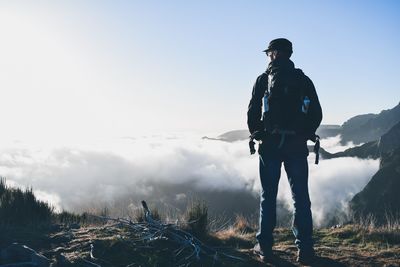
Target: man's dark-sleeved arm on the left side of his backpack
x=254 y=112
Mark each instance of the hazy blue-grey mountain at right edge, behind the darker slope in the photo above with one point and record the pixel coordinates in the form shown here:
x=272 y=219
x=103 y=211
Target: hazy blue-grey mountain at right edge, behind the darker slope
x=369 y=127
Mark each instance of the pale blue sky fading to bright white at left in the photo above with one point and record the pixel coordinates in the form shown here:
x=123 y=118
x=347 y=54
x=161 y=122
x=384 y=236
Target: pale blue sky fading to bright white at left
x=119 y=68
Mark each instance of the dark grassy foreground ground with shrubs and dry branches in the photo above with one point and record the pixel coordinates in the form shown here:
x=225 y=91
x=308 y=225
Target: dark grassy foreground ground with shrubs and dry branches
x=86 y=240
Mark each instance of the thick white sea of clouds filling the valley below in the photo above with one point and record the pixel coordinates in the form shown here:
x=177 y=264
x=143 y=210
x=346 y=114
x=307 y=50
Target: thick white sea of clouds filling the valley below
x=171 y=169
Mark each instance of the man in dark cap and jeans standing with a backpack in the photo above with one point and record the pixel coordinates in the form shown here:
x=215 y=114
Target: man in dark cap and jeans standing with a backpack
x=284 y=112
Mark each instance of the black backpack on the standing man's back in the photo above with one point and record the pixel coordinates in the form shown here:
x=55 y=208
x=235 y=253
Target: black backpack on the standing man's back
x=286 y=102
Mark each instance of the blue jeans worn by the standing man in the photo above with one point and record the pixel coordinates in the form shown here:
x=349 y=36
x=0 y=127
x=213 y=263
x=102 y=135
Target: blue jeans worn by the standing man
x=296 y=167
